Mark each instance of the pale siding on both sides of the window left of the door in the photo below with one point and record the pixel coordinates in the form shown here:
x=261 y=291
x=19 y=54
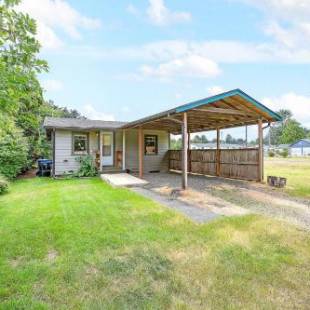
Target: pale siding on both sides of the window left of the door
x=65 y=162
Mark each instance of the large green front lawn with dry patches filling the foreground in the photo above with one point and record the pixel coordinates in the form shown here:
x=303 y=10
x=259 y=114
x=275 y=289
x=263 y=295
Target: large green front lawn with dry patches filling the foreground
x=79 y=244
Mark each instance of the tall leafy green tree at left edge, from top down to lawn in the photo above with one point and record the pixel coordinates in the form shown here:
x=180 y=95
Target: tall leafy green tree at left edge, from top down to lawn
x=20 y=91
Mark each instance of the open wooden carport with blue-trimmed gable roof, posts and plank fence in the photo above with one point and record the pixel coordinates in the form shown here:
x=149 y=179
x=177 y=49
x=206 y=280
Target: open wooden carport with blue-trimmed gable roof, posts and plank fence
x=230 y=109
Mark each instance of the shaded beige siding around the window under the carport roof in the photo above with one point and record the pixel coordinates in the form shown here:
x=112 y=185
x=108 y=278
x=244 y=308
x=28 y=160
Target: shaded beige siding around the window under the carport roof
x=150 y=162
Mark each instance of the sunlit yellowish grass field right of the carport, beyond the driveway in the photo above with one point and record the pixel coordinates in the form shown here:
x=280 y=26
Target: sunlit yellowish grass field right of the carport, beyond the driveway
x=297 y=172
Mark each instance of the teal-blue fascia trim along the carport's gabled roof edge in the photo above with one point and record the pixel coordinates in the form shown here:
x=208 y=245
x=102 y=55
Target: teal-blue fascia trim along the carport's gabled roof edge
x=230 y=93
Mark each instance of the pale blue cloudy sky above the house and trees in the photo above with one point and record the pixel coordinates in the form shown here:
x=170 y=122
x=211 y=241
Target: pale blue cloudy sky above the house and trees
x=127 y=59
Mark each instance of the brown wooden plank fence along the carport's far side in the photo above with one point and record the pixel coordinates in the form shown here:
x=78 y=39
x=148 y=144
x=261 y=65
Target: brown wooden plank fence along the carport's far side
x=229 y=163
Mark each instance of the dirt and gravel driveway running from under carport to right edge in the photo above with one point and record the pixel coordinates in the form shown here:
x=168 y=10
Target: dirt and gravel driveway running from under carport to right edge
x=221 y=195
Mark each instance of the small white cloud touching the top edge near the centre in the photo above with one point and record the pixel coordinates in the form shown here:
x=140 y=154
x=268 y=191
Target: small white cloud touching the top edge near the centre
x=160 y=15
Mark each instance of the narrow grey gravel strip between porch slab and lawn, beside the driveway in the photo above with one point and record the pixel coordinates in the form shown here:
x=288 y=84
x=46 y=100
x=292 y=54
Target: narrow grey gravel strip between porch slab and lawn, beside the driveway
x=198 y=215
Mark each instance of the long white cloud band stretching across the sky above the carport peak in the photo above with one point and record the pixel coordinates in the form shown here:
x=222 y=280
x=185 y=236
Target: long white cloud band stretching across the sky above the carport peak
x=170 y=58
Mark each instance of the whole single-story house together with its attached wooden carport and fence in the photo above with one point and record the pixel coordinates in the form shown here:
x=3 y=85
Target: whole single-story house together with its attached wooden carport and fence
x=143 y=145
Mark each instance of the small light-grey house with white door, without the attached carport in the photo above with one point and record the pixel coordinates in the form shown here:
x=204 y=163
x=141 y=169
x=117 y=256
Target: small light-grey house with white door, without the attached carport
x=112 y=148
